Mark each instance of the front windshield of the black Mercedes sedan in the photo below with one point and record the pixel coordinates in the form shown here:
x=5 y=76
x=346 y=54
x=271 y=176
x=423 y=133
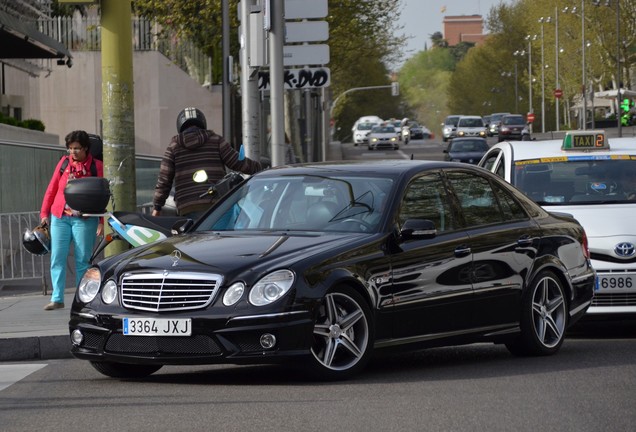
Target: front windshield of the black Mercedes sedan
x=306 y=203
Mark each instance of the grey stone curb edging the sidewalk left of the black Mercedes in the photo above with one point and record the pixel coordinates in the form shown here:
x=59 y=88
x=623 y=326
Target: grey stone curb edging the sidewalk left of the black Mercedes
x=35 y=348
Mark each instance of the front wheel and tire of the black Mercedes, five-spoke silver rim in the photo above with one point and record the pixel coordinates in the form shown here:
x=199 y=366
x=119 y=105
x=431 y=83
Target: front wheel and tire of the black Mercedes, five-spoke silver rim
x=343 y=335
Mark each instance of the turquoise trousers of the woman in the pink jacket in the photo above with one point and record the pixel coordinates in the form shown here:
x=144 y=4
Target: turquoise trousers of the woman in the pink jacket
x=81 y=232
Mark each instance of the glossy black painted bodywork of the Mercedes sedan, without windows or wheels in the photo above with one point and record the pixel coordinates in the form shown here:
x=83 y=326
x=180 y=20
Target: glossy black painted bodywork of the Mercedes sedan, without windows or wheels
x=418 y=297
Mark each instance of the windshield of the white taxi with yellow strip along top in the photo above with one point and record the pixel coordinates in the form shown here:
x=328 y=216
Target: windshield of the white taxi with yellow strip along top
x=578 y=180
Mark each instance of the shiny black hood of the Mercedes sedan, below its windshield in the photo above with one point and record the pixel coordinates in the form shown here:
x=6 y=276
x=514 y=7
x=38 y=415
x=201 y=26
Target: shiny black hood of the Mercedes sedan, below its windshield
x=225 y=253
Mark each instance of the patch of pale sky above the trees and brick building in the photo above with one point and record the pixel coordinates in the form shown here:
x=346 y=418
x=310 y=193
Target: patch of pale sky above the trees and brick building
x=422 y=18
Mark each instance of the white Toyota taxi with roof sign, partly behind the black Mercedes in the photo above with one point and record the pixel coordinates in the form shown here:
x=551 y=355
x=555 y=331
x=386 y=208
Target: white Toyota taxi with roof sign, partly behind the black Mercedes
x=594 y=179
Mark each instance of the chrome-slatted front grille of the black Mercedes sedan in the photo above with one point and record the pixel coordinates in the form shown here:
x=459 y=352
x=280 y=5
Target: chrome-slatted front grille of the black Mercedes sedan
x=169 y=291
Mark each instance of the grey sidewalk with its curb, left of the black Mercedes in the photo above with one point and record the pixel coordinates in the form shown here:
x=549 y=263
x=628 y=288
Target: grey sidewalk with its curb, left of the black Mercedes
x=28 y=332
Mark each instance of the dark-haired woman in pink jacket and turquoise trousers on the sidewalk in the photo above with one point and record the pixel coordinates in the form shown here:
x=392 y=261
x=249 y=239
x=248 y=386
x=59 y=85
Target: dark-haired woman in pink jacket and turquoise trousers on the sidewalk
x=66 y=226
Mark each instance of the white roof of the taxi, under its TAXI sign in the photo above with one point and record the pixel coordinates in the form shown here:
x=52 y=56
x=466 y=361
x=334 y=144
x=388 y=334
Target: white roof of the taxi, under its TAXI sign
x=524 y=150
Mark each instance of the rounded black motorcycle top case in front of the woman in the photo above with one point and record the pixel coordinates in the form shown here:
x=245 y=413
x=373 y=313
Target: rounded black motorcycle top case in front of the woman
x=87 y=194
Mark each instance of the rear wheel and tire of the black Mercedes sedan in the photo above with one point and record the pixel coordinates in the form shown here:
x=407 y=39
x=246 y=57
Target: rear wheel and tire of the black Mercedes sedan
x=544 y=317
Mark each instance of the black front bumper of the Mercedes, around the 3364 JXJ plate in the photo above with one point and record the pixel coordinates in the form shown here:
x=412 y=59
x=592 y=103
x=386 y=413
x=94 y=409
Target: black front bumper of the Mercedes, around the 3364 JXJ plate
x=234 y=340
